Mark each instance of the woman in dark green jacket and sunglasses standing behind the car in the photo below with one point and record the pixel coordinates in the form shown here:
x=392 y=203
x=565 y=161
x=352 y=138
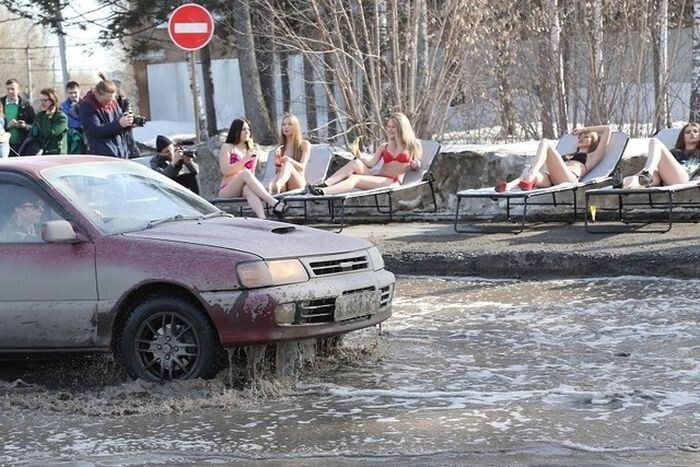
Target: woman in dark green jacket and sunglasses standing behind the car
x=50 y=128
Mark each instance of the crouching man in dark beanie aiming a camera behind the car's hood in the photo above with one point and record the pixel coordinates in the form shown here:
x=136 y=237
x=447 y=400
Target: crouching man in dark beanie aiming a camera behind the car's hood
x=176 y=163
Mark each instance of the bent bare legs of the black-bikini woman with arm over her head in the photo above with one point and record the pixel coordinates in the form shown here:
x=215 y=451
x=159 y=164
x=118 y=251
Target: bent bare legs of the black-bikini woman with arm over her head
x=557 y=169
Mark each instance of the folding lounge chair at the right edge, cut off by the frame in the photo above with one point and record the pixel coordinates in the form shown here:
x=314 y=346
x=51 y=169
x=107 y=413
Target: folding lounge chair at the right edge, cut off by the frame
x=657 y=198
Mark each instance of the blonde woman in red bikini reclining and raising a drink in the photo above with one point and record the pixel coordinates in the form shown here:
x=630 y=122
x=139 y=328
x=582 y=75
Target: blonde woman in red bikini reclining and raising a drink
x=401 y=152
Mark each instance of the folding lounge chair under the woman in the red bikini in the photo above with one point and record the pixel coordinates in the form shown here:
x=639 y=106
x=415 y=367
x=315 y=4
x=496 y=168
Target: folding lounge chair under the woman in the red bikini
x=413 y=179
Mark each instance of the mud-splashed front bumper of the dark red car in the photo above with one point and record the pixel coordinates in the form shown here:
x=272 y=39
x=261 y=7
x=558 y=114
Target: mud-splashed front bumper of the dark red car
x=317 y=308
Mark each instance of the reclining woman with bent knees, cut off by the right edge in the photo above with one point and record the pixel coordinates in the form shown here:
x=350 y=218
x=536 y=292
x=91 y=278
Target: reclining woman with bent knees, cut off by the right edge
x=668 y=167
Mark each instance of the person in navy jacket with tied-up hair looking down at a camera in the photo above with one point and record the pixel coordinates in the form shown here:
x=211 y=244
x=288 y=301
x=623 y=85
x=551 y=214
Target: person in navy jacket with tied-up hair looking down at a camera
x=103 y=121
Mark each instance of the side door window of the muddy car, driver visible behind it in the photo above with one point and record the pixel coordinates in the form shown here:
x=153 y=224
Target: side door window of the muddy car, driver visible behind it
x=22 y=213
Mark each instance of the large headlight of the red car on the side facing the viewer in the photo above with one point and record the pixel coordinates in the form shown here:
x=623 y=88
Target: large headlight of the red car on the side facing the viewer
x=255 y=274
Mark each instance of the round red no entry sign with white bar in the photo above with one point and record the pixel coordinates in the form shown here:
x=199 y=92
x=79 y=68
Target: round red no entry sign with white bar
x=191 y=26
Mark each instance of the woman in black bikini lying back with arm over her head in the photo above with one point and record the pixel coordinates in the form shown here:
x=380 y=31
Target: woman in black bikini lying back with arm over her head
x=592 y=143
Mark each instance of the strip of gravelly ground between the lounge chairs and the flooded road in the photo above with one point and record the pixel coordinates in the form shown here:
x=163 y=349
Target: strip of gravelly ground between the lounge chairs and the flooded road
x=542 y=251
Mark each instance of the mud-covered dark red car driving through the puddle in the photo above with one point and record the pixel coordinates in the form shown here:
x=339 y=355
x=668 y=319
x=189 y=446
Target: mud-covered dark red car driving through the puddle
x=102 y=254
